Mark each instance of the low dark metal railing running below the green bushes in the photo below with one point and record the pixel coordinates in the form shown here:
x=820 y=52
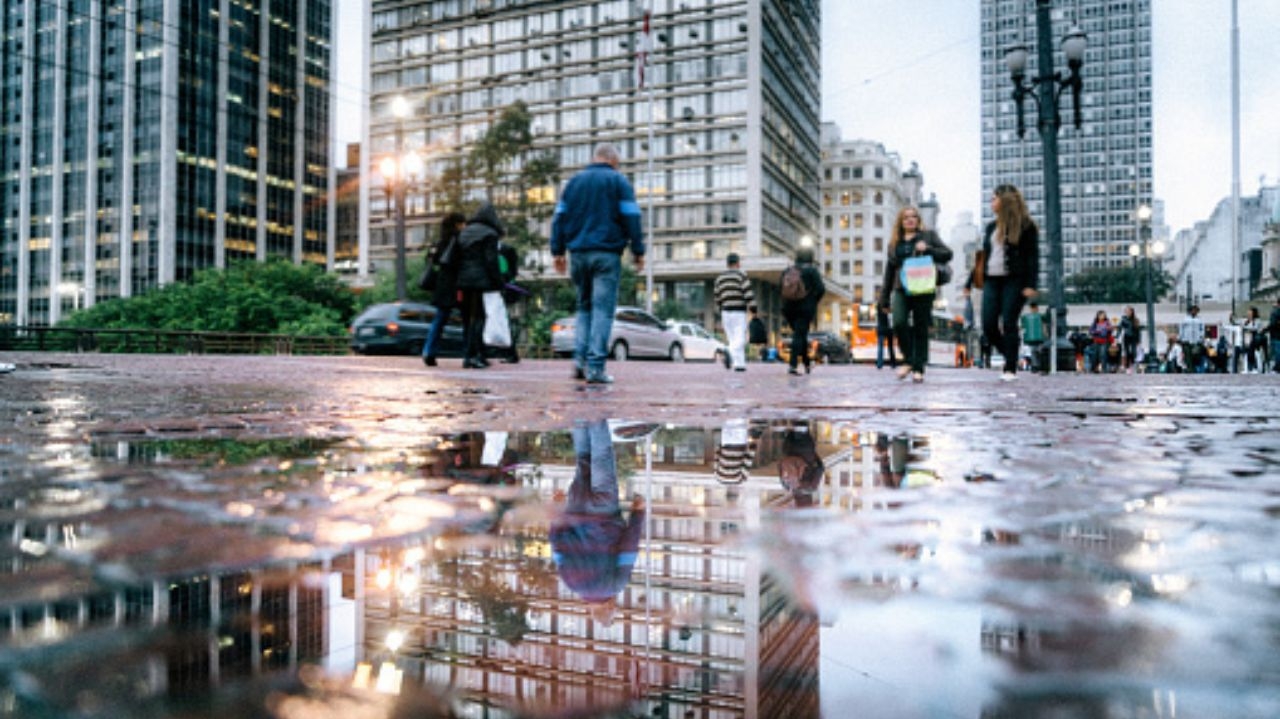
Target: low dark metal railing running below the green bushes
x=164 y=342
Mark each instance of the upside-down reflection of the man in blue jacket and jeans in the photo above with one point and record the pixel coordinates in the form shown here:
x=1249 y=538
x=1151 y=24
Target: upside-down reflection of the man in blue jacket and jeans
x=595 y=548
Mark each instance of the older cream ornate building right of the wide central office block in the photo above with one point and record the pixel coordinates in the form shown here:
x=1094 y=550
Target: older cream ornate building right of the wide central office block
x=863 y=189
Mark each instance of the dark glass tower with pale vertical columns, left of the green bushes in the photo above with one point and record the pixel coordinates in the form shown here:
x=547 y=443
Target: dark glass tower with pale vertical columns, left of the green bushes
x=145 y=140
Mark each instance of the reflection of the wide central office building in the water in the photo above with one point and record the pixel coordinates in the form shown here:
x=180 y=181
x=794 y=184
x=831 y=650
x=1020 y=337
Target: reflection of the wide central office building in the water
x=707 y=633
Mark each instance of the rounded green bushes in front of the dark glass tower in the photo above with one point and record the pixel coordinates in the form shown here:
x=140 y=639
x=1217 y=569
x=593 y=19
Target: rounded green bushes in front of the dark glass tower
x=275 y=297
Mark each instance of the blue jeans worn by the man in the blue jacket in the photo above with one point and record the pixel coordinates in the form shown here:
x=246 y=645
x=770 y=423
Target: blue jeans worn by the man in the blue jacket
x=596 y=276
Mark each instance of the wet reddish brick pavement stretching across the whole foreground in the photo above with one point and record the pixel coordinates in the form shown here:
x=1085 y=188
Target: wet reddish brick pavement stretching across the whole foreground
x=1055 y=547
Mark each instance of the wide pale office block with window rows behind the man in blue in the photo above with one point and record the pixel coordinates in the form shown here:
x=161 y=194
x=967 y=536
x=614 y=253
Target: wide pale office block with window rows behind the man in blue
x=735 y=115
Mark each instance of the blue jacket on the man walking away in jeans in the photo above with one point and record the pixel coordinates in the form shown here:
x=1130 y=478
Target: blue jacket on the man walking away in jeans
x=598 y=210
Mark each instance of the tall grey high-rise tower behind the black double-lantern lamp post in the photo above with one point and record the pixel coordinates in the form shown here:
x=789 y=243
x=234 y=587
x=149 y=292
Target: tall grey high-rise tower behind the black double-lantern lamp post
x=1107 y=166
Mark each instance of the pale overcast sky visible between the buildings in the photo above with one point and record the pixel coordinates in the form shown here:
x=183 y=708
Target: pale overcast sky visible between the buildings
x=906 y=74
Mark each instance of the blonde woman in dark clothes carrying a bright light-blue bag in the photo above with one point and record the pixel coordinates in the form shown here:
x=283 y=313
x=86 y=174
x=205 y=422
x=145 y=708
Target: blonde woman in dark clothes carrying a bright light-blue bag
x=909 y=296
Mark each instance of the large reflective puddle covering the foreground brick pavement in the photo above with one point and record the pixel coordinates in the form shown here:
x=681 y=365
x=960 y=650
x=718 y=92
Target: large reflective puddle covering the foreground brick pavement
x=630 y=569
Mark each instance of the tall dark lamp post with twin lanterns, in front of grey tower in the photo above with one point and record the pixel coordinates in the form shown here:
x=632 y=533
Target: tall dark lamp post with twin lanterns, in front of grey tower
x=1050 y=86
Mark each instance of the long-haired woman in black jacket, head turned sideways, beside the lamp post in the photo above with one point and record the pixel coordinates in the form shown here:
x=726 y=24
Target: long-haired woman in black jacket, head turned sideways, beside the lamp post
x=1009 y=271
